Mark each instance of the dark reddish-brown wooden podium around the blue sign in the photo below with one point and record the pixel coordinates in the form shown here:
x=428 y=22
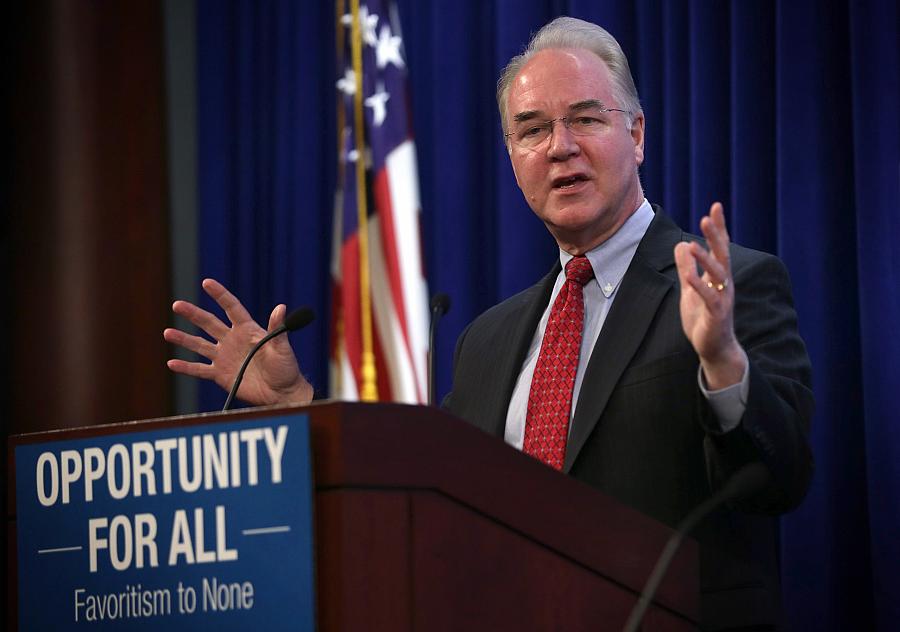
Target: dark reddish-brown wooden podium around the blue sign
x=425 y=523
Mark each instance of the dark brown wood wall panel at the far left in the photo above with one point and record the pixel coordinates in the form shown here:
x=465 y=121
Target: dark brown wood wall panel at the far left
x=87 y=230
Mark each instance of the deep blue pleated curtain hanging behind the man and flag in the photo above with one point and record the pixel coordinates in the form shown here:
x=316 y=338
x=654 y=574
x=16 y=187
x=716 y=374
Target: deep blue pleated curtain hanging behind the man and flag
x=785 y=111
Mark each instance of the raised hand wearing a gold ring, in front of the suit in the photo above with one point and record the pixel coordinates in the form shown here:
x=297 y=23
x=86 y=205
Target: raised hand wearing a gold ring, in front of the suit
x=707 y=302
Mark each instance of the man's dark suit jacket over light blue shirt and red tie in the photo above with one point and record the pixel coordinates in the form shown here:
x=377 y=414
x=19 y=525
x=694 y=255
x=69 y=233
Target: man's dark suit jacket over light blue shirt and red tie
x=643 y=432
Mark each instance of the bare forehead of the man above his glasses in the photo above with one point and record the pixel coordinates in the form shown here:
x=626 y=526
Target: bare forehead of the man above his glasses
x=554 y=79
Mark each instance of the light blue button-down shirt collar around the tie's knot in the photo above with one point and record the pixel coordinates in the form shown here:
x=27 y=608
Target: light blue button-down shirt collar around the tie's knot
x=611 y=259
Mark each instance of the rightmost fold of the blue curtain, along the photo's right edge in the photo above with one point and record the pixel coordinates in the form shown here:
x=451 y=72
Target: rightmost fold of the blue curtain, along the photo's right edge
x=875 y=89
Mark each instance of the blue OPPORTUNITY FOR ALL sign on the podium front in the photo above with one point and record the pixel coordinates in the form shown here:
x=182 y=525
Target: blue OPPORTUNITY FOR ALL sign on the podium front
x=181 y=528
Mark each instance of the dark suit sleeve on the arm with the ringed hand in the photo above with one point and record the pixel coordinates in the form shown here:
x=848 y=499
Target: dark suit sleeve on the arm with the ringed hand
x=775 y=425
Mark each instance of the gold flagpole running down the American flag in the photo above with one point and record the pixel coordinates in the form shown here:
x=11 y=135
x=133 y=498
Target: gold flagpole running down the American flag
x=368 y=391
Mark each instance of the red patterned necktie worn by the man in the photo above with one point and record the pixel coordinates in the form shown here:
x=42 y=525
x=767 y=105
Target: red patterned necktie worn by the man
x=550 y=399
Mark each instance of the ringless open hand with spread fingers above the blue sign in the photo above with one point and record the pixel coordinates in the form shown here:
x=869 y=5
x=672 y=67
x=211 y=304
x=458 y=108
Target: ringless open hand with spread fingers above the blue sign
x=272 y=377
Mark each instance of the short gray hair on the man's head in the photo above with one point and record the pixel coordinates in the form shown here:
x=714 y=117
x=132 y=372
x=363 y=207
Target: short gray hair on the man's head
x=565 y=32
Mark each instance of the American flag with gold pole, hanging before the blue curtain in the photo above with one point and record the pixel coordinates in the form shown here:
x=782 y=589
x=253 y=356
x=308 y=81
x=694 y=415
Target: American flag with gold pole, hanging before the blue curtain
x=380 y=305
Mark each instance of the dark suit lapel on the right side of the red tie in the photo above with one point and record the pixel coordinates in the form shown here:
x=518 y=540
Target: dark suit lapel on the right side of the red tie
x=640 y=294
